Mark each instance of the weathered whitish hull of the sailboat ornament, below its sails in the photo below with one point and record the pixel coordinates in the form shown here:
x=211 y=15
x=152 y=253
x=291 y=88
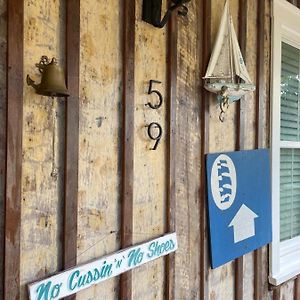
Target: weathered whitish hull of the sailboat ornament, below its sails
x=234 y=91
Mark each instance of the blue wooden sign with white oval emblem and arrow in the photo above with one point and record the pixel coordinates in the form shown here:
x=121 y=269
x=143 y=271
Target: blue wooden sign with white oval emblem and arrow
x=239 y=203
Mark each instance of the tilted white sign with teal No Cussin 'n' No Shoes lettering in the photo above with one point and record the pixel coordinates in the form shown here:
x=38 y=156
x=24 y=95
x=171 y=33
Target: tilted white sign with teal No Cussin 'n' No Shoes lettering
x=82 y=277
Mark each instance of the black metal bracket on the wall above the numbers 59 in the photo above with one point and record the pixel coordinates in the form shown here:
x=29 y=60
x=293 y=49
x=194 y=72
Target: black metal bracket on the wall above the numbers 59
x=152 y=11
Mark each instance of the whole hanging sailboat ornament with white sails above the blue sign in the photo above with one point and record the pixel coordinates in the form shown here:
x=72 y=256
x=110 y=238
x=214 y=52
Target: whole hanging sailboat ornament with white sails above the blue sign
x=226 y=73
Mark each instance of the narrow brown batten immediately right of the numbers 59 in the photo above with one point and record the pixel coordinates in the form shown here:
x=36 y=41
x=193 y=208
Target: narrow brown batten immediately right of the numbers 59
x=171 y=158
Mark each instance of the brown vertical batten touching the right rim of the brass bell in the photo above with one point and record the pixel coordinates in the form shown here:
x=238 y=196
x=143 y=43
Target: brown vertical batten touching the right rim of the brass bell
x=72 y=134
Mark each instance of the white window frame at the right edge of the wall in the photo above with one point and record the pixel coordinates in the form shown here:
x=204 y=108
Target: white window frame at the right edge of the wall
x=284 y=256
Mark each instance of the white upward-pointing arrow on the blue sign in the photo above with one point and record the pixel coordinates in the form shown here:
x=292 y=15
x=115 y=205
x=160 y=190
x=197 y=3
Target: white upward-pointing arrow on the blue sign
x=243 y=224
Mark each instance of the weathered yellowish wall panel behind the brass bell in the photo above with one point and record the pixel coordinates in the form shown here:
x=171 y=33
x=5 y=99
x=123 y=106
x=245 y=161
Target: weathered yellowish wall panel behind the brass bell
x=43 y=147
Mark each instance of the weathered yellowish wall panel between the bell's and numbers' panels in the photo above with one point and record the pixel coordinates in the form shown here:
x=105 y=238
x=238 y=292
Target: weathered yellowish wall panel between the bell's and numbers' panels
x=100 y=133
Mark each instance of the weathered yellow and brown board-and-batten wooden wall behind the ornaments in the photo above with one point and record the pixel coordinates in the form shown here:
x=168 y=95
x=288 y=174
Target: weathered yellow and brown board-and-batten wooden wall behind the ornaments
x=79 y=202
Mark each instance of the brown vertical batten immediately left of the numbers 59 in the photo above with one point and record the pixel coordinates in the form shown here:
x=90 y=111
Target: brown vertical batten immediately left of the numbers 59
x=128 y=138
